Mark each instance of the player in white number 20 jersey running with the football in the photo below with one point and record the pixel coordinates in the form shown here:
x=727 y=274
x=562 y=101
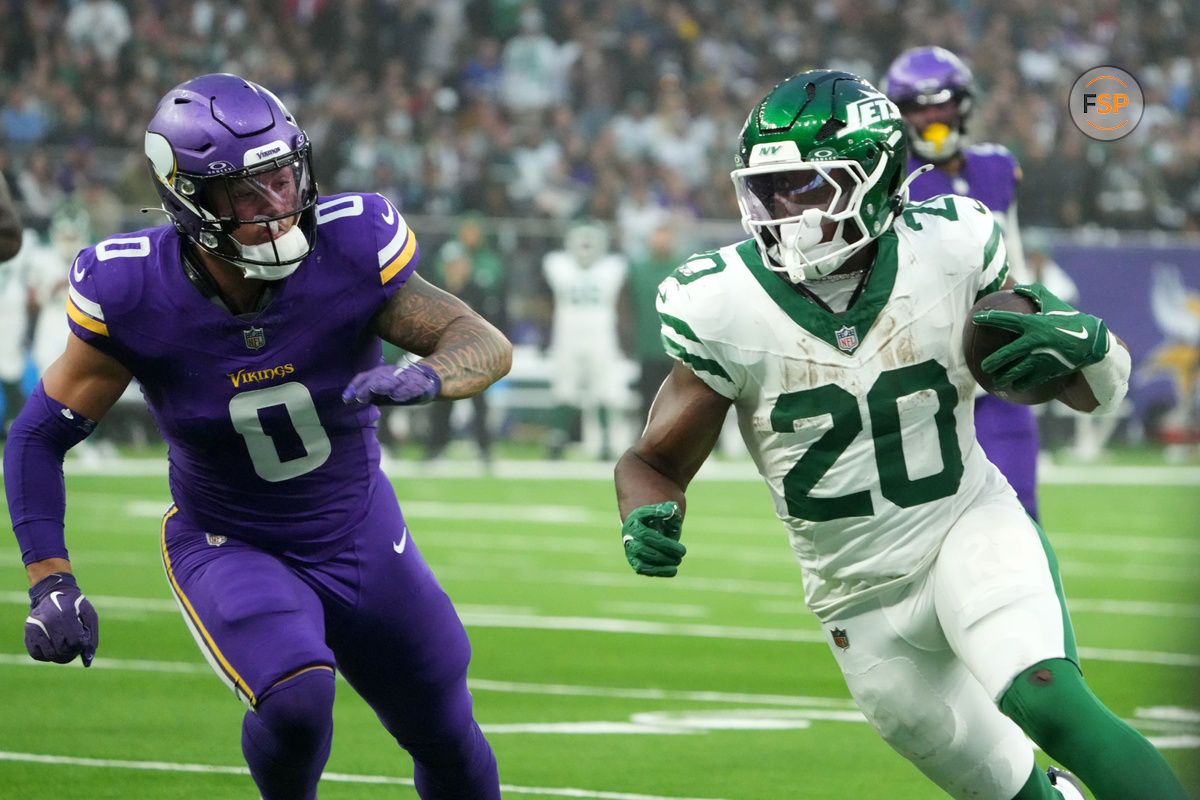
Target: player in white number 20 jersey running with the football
x=836 y=333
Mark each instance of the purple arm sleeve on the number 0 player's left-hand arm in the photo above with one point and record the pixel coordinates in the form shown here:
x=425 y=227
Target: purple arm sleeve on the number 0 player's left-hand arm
x=33 y=474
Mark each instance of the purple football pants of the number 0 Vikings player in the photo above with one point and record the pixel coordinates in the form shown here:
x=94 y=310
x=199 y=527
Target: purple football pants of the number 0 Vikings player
x=374 y=611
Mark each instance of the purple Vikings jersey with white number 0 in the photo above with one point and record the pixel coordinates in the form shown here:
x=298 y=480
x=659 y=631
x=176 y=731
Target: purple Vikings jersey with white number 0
x=262 y=448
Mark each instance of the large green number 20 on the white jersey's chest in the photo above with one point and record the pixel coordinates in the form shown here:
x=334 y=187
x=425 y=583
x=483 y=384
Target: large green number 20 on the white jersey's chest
x=883 y=405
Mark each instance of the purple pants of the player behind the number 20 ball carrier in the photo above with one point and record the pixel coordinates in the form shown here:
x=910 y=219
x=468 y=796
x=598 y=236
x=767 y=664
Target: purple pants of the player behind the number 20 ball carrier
x=1009 y=435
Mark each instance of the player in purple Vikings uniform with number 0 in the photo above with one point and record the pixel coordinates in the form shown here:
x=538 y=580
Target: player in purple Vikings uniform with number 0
x=254 y=326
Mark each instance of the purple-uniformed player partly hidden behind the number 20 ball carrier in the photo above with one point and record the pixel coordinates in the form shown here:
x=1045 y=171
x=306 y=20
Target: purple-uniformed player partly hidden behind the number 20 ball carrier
x=935 y=93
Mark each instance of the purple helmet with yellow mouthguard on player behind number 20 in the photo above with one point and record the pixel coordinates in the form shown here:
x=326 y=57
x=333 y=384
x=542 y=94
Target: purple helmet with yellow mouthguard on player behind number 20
x=935 y=92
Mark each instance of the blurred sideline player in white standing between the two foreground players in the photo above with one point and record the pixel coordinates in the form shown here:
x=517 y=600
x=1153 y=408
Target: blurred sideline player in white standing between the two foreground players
x=589 y=372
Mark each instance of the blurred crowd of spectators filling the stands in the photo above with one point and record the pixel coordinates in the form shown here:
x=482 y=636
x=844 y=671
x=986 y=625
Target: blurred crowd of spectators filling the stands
x=626 y=111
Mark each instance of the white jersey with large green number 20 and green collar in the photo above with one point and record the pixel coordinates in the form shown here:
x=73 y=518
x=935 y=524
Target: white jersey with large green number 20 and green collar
x=862 y=424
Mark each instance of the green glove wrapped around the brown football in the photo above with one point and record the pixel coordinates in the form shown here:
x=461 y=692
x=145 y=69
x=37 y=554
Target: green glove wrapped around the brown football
x=1055 y=341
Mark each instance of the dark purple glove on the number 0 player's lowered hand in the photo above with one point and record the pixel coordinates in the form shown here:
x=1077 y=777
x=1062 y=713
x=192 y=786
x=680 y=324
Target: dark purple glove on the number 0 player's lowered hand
x=62 y=623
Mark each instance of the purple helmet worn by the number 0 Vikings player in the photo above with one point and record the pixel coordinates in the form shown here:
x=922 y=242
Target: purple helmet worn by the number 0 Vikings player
x=225 y=154
